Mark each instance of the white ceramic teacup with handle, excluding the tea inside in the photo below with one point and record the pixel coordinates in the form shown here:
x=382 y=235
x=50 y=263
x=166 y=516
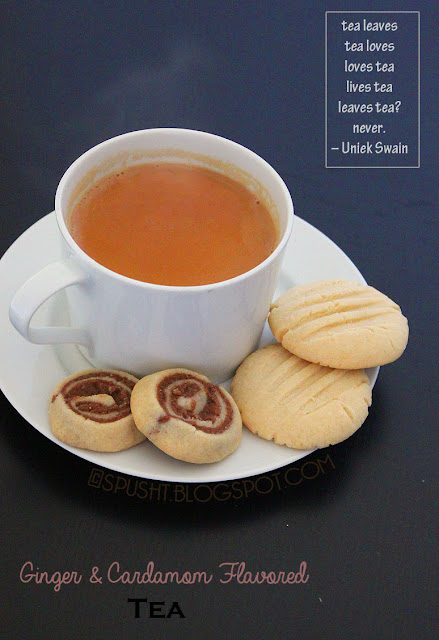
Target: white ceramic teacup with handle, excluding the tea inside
x=121 y=323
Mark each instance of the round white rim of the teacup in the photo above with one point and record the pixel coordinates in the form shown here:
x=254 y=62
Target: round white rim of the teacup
x=76 y=249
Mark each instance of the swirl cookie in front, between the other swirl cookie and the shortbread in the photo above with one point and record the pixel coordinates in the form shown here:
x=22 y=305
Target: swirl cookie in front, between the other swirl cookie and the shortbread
x=187 y=416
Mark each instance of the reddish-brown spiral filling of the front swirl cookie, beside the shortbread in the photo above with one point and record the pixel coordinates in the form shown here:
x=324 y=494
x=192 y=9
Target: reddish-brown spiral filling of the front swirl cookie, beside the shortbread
x=195 y=401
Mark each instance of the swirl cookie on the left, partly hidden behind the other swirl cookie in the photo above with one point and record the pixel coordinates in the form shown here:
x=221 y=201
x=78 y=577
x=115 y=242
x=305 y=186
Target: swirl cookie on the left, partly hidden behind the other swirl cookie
x=91 y=410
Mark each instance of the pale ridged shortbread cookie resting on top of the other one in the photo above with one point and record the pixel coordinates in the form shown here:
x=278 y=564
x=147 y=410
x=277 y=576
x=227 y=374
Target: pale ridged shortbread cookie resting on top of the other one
x=339 y=324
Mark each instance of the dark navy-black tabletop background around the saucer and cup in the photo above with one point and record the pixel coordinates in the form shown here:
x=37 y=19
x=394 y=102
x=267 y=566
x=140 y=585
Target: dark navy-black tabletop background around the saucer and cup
x=75 y=73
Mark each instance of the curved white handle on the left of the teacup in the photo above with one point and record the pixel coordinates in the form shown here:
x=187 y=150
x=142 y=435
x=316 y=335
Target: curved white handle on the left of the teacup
x=35 y=291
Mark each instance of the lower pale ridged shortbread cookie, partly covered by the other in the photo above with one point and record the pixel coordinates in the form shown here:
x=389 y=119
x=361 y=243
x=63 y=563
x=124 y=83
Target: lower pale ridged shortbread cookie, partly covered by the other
x=299 y=404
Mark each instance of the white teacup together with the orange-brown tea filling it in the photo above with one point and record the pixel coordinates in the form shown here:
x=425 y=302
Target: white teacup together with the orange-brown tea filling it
x=156 y=279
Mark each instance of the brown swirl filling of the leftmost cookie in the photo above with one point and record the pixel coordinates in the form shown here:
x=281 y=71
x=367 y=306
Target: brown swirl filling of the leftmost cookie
x=101 y=396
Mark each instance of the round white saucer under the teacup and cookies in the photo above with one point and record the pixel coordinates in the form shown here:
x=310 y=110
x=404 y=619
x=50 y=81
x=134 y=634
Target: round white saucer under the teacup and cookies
x=29 y=372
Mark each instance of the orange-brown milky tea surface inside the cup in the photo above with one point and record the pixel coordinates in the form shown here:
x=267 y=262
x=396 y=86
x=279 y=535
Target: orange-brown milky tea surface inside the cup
x=172 y=223
